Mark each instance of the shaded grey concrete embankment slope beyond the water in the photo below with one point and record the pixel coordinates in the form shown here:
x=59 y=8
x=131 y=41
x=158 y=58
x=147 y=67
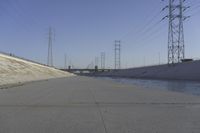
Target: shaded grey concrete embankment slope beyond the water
x=180 y=71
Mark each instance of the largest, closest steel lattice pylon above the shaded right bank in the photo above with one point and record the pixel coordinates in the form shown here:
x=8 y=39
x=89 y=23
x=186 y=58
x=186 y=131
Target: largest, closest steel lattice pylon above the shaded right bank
x=176 y=46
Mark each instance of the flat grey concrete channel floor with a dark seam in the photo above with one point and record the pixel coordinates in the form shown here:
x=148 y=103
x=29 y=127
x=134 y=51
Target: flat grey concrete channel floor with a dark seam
x=86 y=105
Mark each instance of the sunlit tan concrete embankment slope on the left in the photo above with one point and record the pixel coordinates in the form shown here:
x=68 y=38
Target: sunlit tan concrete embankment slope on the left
x=14 y=70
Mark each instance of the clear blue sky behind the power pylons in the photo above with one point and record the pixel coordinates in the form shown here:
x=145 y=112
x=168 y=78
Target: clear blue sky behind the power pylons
x=85 y=28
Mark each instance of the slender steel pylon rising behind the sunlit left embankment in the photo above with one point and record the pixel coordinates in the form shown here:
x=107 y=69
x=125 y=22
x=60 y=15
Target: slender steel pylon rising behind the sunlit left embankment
x=50 y=49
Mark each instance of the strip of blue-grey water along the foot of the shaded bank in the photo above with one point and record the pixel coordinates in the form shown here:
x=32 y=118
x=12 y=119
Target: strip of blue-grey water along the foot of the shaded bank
x=188 y=87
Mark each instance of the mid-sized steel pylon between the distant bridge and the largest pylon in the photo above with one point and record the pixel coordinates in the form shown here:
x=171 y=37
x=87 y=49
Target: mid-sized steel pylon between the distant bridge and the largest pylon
x=117 y=54
